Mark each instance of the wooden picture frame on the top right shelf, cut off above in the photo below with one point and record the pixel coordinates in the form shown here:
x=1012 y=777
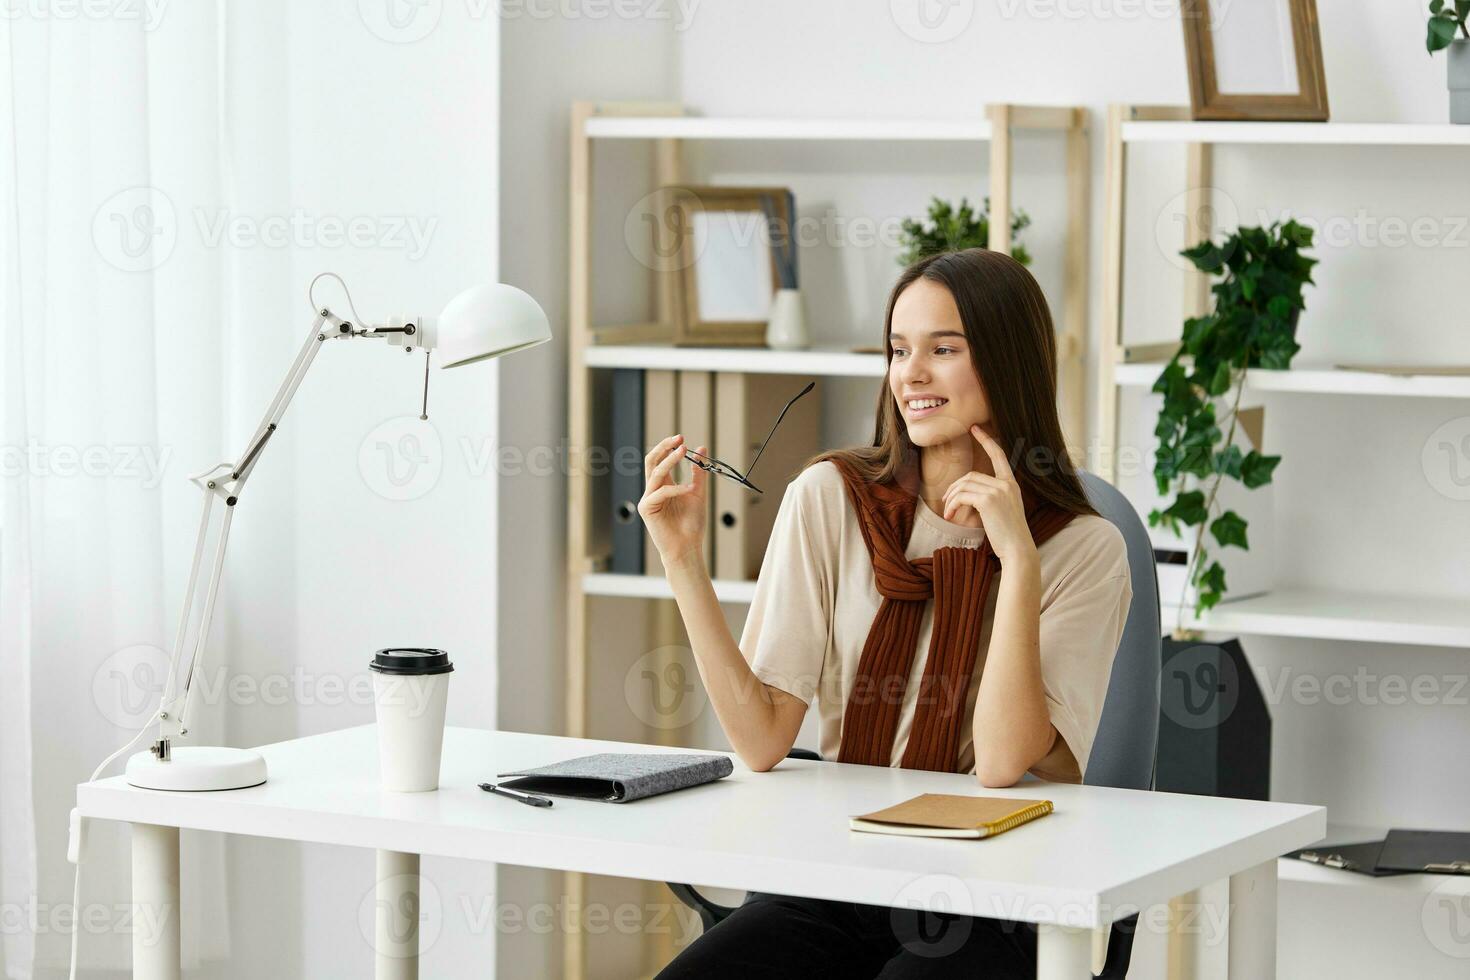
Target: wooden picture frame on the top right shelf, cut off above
x=1255 y=60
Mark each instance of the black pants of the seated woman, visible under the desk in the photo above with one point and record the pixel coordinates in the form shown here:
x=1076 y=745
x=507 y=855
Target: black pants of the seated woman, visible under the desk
x=806 y=938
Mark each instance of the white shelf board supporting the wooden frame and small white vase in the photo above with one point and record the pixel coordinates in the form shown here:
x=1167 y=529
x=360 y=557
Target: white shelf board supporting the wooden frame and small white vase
x=833 y=362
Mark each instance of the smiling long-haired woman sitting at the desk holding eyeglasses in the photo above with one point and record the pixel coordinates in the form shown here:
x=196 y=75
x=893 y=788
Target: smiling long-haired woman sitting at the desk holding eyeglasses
x=868 y=602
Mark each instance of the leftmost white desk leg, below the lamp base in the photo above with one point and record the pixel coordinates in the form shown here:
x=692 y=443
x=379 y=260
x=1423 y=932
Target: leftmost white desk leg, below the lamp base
x=157 y=951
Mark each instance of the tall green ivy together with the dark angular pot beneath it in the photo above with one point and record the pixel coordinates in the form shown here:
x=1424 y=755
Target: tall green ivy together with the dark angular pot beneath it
x=1215 y=727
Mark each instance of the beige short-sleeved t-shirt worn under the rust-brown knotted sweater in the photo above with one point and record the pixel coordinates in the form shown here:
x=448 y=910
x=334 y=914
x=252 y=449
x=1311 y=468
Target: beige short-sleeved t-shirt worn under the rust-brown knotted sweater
x=817 y=600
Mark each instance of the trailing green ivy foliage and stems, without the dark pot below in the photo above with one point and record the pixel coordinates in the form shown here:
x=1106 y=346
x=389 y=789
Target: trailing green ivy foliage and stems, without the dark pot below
x=1258 y=302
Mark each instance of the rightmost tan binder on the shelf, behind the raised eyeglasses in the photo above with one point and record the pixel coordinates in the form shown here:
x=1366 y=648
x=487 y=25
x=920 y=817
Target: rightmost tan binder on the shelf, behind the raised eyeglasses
x=746 y=408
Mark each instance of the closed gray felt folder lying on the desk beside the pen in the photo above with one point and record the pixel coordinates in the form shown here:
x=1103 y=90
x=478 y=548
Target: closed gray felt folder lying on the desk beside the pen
x=618 y=778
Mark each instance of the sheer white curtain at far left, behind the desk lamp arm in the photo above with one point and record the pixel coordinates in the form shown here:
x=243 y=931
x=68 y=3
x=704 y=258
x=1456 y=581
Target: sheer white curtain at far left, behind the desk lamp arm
x=114 y=389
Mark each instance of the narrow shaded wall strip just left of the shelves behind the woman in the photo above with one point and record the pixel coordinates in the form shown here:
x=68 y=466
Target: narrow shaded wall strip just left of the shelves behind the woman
x=548 y=62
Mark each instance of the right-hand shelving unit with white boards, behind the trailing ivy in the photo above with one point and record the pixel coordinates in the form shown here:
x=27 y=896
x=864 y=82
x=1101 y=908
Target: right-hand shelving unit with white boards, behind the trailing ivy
x=1287 y=612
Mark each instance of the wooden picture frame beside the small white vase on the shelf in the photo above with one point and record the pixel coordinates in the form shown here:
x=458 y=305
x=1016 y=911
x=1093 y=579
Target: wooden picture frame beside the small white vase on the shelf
x=734 y=246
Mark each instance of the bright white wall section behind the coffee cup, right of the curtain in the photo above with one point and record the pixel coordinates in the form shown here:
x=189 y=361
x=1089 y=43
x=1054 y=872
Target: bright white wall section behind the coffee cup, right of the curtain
x=398 y=127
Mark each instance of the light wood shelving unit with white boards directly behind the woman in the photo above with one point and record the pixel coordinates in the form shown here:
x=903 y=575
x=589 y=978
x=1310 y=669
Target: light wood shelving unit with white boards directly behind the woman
x=592 y=347
